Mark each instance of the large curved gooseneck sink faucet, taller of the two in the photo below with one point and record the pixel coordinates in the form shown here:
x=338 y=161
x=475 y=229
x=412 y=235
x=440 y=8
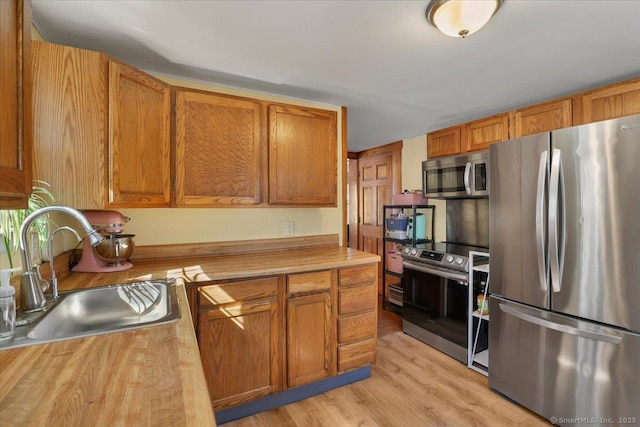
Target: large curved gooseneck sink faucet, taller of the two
x=31 y=294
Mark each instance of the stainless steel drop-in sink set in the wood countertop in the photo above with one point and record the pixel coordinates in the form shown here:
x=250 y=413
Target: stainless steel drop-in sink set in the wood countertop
x=102 y=310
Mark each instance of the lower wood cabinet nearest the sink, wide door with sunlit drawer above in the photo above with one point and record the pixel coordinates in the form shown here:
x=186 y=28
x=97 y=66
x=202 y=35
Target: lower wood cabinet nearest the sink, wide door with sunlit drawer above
x=239 y=333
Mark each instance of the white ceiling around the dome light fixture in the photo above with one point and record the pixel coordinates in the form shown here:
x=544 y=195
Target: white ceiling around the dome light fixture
x=397 y=75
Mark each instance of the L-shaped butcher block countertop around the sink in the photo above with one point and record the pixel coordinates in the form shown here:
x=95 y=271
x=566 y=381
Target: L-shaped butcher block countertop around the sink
x=145 y=377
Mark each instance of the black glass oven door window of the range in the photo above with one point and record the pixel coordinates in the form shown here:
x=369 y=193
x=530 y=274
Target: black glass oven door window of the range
x=436 y=304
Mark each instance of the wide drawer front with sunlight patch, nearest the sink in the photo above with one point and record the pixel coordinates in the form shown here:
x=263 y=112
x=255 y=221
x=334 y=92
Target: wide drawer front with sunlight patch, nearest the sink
x=245 y=290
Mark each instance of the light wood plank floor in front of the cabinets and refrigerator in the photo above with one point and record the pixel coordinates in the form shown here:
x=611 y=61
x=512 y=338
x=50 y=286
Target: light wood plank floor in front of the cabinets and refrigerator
x=411 y=385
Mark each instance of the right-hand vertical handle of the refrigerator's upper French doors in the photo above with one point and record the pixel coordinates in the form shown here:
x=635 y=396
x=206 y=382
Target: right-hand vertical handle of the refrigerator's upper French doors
x=556 y=220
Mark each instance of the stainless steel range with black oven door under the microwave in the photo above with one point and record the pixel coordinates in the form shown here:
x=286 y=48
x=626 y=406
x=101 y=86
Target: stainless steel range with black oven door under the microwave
x=435 y=296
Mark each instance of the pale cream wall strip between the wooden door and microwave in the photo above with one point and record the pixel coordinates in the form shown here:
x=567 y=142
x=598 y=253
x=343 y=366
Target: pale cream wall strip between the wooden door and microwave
x=414 y=151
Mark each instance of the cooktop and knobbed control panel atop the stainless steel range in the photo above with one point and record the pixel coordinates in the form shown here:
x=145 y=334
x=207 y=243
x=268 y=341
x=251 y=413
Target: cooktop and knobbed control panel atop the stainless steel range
x=443 y=254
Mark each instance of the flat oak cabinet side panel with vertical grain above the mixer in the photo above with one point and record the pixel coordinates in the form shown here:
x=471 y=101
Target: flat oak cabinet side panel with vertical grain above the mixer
x=70 y=116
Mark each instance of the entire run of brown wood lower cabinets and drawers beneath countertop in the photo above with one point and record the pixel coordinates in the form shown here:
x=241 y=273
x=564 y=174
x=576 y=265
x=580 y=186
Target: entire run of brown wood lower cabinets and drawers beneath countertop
x=260 y=336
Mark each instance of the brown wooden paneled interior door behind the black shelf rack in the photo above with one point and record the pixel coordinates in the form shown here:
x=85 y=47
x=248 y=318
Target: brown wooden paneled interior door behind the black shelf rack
x=376 y=190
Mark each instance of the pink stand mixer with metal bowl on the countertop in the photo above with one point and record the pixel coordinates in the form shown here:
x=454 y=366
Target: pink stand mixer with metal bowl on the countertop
x=113 y=254
